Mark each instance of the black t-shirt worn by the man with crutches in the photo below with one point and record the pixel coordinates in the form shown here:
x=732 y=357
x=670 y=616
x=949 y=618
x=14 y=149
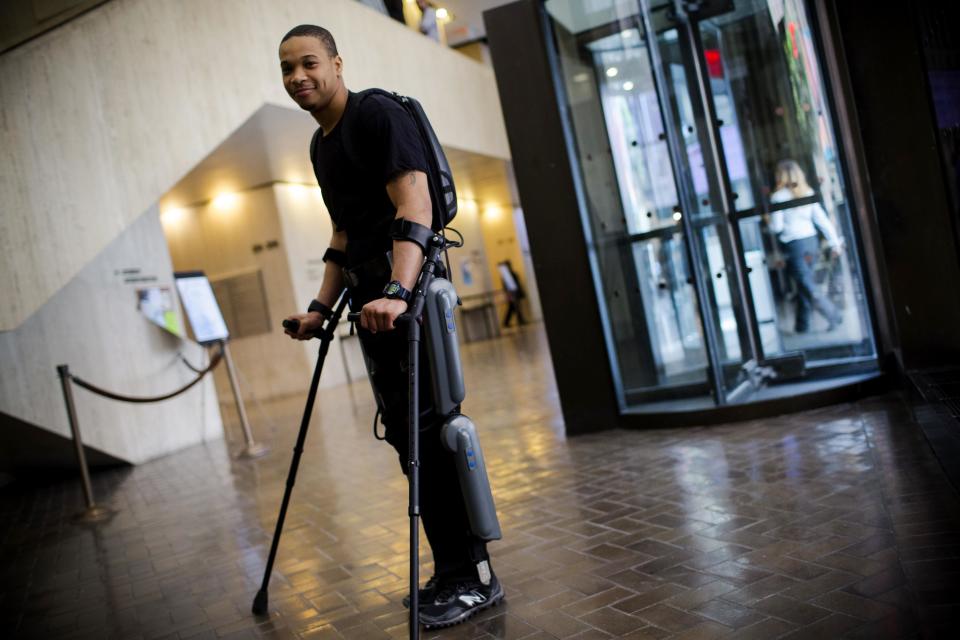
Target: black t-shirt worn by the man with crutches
x=385 y=142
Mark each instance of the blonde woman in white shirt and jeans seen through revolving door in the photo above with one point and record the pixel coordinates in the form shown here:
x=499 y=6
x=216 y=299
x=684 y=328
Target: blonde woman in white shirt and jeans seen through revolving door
x=797 y=229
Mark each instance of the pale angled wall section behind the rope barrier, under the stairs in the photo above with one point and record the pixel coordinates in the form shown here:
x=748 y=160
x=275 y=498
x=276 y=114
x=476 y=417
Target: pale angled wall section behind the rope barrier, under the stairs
x=93 y=325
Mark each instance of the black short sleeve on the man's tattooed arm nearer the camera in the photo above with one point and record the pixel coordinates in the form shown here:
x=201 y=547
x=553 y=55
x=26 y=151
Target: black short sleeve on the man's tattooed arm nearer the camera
x=392 y=140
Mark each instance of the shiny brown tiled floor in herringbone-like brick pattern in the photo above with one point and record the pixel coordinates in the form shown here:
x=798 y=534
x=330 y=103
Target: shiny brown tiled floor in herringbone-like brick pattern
x=833 y=523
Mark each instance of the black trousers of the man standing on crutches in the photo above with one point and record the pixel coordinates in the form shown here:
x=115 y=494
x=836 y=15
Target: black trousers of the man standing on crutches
x=456 y=551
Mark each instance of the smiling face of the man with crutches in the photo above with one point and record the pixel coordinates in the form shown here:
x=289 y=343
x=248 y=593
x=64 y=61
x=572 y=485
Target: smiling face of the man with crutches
x=311 y=75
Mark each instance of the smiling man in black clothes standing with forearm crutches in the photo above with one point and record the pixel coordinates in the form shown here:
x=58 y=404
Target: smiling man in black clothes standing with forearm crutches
x=384 y=179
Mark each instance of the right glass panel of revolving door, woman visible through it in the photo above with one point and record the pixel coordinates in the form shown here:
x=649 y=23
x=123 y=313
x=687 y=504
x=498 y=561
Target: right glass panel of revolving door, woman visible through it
x=783 y=160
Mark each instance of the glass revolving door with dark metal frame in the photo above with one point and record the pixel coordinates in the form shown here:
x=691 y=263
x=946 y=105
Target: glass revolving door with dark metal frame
x=715 y=206
